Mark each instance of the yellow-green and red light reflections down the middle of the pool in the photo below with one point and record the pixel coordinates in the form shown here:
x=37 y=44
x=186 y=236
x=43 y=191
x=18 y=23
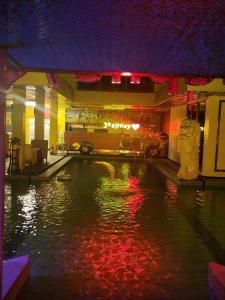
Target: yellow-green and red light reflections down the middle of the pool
x=115 y=251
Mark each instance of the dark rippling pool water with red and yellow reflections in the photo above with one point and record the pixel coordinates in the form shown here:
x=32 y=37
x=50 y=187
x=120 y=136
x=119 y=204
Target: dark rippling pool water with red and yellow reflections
x=117 y=230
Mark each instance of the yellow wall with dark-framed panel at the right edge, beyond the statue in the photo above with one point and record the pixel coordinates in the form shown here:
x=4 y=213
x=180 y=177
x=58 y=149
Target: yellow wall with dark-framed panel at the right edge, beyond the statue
x=212 y=123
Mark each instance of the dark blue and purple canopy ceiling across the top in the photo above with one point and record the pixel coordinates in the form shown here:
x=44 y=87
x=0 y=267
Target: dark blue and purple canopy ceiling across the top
x=158 y=36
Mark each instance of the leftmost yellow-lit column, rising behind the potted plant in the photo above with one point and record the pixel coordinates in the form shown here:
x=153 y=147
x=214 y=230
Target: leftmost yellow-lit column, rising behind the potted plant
x=19 y=119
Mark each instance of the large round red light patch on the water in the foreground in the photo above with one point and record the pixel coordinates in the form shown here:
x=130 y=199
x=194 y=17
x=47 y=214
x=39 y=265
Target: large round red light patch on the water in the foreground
x=113 y=264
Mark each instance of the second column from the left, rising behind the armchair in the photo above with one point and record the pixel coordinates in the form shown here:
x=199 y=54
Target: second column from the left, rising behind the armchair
x=39 y=113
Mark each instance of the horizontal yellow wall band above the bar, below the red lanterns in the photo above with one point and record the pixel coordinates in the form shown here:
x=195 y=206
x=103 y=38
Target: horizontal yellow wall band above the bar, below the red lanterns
x=116 y=98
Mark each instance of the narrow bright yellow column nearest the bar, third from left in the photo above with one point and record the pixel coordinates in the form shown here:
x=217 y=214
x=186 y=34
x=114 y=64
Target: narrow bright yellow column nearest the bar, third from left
x=53 y=122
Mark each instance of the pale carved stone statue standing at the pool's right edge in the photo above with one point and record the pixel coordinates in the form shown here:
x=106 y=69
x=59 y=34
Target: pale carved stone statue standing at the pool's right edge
x=188 y=147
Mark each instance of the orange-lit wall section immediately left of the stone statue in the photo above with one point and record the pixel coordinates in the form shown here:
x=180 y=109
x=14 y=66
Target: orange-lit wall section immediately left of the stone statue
x=178 y=113
